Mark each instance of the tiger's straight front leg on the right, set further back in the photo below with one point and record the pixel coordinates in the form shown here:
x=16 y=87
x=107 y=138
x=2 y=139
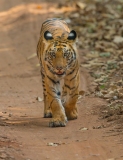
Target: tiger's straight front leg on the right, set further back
x=70 y=105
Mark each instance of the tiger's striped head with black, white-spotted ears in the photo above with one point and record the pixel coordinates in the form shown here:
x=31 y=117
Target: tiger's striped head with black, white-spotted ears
x=60 y=52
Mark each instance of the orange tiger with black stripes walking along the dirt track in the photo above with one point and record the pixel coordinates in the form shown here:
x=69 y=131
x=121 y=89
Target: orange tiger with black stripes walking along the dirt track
x=58 y=58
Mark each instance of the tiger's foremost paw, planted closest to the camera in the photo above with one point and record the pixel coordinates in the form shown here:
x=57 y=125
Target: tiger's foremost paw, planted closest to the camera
x=58 y=122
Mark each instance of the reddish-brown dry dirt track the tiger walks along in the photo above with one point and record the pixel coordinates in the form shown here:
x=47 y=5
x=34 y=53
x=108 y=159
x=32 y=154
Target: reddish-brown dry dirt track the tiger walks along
x=24 y=133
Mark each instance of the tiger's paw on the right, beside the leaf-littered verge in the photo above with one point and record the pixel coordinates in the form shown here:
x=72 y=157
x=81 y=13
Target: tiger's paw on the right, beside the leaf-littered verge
x=71 y=114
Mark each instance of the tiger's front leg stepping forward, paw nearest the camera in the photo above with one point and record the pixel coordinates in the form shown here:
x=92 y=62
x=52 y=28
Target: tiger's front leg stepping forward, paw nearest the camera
x=59 y=118
